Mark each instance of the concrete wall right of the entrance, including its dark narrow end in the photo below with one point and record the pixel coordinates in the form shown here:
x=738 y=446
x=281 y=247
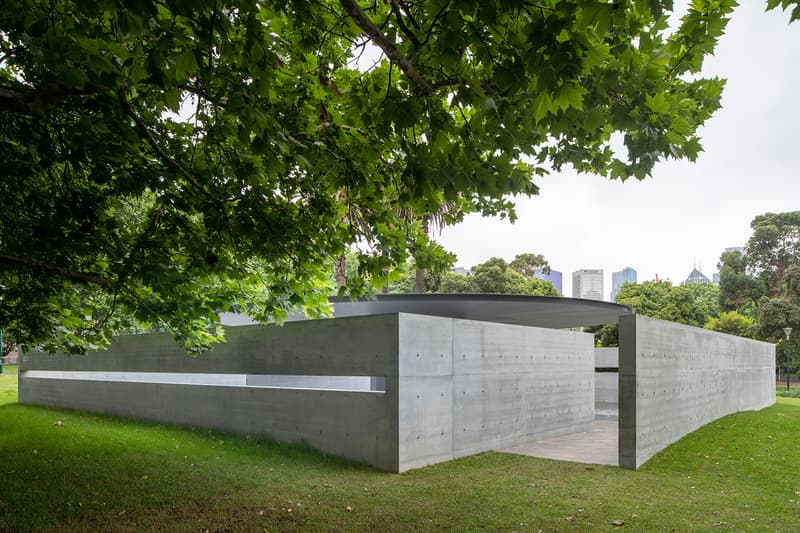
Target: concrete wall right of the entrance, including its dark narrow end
x=675 y=379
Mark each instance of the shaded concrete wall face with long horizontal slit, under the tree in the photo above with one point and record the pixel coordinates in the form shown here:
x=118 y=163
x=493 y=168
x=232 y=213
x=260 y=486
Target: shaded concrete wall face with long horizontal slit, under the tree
x=359 y=425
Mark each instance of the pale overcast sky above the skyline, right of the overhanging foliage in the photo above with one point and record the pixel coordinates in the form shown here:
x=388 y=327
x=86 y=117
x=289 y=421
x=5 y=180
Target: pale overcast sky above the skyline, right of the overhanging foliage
x=686 y=213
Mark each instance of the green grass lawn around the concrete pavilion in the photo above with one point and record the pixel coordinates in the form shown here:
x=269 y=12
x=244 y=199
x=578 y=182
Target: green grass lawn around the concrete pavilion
x=69 y=471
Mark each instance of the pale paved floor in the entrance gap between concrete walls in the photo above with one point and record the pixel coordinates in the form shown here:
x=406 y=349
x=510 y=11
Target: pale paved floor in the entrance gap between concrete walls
x=597 y=446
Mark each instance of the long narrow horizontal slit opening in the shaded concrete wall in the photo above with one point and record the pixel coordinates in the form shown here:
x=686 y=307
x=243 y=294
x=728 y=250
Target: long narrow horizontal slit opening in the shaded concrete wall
x=264 y=381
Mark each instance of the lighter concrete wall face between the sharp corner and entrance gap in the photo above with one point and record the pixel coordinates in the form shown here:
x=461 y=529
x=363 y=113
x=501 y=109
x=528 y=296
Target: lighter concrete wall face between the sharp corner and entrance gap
x=469 y=386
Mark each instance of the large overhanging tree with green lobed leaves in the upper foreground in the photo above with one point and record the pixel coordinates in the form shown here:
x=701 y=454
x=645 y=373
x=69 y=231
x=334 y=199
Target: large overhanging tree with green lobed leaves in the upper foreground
x=165 y=161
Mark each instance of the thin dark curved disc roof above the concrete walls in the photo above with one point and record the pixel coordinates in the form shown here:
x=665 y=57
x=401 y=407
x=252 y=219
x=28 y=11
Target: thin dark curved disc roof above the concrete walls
x=542 y=311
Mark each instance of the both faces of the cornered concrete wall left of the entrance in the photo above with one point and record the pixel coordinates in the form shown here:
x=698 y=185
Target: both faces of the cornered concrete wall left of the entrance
x=451 y=387
